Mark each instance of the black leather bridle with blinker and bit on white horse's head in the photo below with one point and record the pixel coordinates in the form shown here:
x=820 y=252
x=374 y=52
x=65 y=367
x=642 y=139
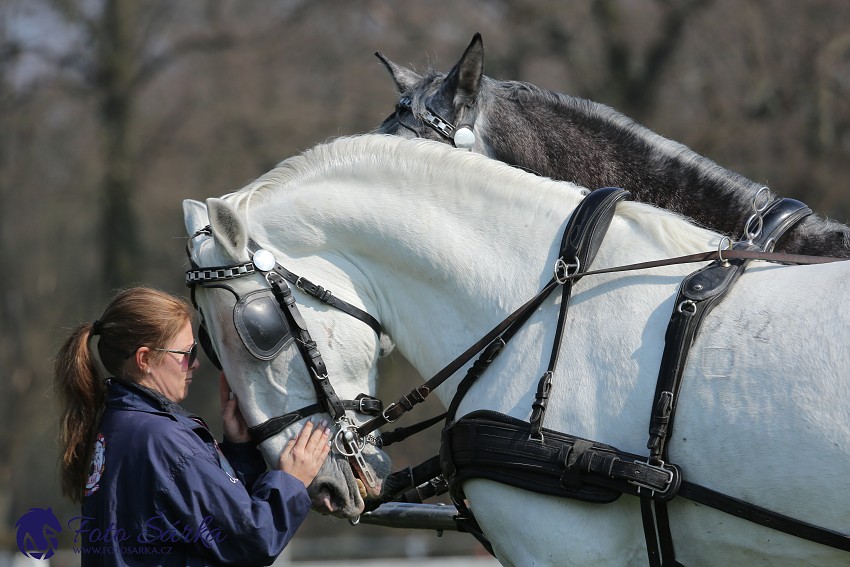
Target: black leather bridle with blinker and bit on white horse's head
x=265 y=345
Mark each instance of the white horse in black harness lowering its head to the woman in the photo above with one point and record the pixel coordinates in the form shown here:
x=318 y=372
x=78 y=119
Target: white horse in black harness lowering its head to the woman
x=440 y=244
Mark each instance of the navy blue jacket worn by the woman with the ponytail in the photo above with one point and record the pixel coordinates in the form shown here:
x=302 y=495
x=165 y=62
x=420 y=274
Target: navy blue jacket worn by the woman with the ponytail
x=162 y=492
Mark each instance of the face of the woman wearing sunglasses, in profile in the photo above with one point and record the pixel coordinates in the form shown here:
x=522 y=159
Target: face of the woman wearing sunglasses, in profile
x=171 y=373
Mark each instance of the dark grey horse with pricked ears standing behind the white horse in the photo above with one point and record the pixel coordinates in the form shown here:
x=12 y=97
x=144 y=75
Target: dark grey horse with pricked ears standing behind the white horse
x=590 y=144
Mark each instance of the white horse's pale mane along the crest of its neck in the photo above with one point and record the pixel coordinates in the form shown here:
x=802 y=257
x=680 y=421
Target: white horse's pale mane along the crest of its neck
x=393 y=157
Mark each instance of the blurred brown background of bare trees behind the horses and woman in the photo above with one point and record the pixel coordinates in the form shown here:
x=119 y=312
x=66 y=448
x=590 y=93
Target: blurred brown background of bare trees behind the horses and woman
x=112 y=112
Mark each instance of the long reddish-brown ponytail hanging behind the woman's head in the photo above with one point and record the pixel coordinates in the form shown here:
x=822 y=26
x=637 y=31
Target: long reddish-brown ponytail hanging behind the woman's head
x=83 y=393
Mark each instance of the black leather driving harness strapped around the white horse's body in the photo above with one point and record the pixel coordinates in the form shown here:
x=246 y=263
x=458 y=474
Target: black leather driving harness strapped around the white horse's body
x=494 y=446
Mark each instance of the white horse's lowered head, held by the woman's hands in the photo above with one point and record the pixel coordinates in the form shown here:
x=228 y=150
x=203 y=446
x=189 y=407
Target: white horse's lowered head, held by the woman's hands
x=257 y=347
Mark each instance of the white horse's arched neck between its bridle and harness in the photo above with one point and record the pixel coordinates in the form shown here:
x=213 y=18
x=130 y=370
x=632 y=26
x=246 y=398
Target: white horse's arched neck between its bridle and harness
x=439 y=263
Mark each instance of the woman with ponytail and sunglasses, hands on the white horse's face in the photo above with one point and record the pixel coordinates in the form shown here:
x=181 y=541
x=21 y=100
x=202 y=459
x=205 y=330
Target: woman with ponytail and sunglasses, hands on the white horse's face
x=155 y=487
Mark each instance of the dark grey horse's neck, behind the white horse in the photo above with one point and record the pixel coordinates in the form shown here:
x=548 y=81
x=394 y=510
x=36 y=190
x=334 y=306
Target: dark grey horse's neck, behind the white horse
x=592 y=145
